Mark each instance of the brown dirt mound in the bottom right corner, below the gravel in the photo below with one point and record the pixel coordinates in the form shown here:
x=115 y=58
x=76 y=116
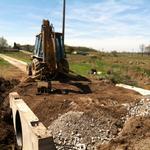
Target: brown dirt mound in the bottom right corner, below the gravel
x=134 y=136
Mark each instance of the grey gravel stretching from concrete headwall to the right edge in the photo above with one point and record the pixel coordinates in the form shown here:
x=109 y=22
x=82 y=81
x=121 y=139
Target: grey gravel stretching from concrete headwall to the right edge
x=80 y=131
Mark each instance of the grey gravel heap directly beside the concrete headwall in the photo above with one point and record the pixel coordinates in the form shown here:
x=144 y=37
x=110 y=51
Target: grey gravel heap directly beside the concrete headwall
x=78 y=131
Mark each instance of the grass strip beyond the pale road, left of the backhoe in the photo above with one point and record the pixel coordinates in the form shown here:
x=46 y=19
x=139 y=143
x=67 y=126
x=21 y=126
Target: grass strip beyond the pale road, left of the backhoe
x=19 y=55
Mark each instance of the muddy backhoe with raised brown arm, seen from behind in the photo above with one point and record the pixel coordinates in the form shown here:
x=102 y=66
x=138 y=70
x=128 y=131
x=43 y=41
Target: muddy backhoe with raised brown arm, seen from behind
x=49 y=58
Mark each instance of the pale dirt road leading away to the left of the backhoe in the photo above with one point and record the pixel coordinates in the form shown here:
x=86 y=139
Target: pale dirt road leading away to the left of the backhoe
x=17 y=63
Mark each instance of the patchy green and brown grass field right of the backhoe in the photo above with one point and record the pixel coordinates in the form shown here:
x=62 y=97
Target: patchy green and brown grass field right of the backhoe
x=115 y=68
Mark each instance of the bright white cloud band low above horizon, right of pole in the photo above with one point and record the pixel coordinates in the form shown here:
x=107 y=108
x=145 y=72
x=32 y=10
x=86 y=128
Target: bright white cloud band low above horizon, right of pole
x=110 y=44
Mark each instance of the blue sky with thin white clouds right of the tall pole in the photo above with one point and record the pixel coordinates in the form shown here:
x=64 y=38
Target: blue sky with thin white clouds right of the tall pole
x=110 y=24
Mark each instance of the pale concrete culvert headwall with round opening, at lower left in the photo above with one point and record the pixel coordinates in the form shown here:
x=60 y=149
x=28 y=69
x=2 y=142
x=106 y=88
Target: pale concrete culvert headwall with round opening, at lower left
x=31 y=134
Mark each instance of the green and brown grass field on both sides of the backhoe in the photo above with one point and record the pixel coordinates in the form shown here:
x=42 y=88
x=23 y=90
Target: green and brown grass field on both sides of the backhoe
x=132 y=69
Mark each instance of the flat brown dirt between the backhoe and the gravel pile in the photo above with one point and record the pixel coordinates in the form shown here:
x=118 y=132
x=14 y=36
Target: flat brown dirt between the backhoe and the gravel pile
x=100 y=95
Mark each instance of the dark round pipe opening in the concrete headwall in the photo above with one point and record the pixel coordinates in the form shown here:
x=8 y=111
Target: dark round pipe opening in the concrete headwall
x=19 y=130
